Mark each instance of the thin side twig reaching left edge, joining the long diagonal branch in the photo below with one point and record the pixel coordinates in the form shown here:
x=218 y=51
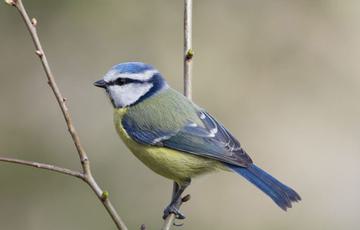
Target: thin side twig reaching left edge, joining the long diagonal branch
x=49 y=167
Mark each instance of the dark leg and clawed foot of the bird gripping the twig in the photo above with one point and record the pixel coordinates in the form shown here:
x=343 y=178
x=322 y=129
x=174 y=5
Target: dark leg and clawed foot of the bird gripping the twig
x=173 y=207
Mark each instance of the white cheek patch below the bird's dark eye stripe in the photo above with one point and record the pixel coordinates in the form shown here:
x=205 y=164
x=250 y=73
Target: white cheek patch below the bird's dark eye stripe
x=128 y=94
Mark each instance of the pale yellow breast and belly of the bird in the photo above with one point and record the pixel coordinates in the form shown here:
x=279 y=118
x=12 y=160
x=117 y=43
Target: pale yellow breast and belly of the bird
x=172 y=164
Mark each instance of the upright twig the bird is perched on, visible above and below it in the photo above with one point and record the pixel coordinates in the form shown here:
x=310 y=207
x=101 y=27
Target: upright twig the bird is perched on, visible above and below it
x=188 y=57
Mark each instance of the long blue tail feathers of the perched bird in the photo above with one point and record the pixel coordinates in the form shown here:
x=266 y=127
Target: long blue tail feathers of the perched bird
x=281 y=194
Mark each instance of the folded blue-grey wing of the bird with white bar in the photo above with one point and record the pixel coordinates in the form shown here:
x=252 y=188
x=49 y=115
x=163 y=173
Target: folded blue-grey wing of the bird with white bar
x=210 y=139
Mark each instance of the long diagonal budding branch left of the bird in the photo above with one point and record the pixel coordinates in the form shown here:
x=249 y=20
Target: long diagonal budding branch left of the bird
x=87 y=175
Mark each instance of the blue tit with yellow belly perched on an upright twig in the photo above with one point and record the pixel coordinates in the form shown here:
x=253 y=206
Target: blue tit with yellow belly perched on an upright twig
x=176 y=138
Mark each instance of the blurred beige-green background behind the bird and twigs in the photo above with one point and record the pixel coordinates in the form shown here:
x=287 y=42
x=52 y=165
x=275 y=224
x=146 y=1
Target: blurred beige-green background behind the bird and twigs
x=282 y=75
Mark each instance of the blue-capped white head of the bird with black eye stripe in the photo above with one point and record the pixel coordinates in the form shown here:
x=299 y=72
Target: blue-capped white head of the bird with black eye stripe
x=130 y=83
